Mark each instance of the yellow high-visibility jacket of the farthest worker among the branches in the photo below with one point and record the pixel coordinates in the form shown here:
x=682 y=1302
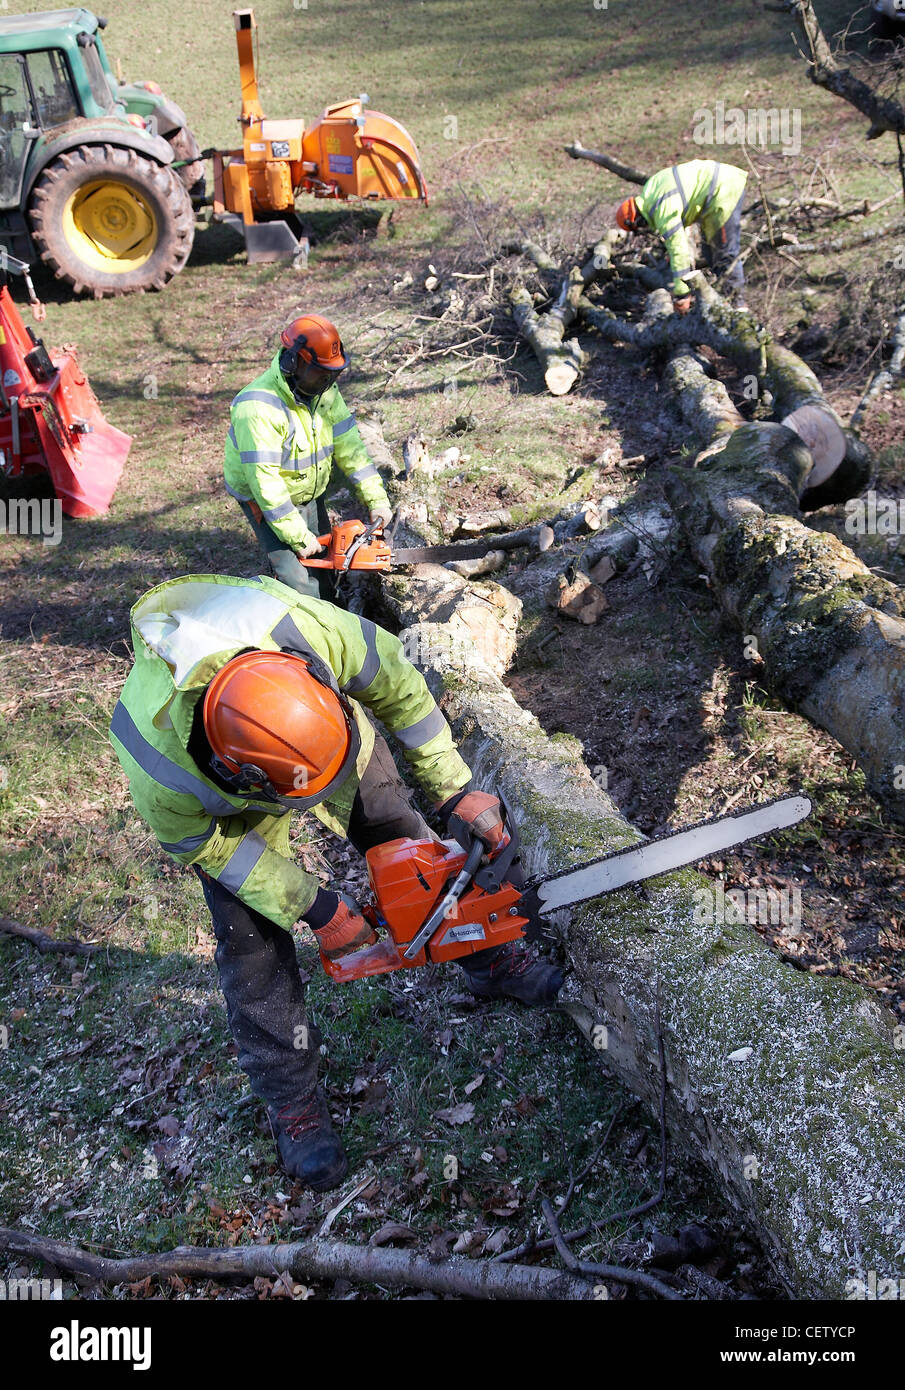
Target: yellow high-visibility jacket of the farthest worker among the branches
x=700 y=191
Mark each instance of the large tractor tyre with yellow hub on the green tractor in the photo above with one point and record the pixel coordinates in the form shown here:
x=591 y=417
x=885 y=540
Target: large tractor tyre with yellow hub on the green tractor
x=112 y=222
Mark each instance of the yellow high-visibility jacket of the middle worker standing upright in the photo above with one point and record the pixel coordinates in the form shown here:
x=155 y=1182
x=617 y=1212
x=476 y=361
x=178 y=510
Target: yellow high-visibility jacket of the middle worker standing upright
x=280 y=454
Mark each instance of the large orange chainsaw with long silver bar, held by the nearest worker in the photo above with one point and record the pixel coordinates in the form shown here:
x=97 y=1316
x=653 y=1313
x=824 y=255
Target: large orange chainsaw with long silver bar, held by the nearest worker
x=437 y=901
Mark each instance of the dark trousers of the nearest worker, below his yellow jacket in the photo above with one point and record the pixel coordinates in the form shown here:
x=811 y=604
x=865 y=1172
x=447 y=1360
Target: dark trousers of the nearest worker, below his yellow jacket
x=259 y=975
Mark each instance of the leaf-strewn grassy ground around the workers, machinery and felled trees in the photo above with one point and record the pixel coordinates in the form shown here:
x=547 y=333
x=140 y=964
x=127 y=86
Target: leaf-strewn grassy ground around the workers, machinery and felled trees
x=124 y=1120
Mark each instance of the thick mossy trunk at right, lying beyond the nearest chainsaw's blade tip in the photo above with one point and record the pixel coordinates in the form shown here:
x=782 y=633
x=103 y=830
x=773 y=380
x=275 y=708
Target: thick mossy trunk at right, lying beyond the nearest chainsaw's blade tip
x=831 y=633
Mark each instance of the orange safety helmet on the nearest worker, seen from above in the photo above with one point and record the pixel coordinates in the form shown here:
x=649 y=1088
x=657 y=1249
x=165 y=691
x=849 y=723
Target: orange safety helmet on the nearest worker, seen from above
x=279 y=730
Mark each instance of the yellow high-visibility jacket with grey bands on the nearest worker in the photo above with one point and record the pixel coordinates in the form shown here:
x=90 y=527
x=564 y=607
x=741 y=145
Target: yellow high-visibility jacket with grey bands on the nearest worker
x=183 y=633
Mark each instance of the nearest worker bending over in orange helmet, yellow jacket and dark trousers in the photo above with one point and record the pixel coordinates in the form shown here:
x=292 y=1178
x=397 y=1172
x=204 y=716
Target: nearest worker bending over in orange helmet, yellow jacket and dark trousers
x=248 y=703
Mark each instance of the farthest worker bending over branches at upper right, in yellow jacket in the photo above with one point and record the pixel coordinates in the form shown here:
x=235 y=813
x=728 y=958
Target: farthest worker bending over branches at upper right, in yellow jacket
x=700 y=191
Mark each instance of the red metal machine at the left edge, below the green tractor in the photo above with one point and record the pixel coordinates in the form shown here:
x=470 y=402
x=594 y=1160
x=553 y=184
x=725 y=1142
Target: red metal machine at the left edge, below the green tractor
x=49 y=416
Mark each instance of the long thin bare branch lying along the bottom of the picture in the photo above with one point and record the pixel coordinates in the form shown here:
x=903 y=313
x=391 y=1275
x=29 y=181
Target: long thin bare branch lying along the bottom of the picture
x=311 y=1260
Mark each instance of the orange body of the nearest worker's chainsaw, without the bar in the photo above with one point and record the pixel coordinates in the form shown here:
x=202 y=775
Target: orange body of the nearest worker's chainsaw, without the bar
x=408 y=879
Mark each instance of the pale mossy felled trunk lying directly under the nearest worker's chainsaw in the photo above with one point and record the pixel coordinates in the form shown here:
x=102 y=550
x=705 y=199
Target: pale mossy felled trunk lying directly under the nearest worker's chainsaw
x=806 y=1135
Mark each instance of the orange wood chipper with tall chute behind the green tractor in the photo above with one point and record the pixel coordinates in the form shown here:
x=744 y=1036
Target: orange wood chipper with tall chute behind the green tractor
x=348 y=152
